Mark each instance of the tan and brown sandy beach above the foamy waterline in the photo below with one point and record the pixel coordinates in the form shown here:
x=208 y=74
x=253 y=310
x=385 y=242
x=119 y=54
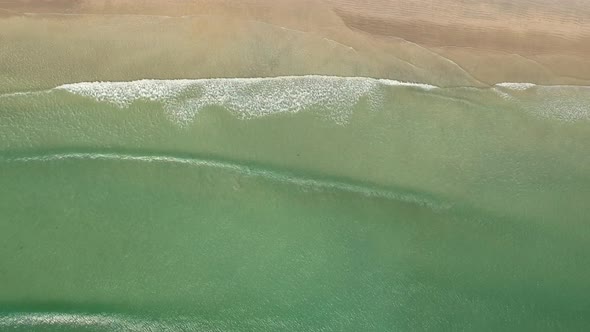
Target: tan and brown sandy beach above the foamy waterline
x=447 y=42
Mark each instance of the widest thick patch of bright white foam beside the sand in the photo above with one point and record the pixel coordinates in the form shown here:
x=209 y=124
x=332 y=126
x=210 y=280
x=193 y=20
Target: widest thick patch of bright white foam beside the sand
x=245 y=97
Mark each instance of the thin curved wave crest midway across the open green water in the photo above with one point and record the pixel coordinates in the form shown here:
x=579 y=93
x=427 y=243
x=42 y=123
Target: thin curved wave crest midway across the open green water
x=303 y=182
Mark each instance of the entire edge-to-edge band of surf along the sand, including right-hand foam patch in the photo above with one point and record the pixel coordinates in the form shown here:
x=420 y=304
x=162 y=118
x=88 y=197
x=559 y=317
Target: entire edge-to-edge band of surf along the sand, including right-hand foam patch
x=333 y=97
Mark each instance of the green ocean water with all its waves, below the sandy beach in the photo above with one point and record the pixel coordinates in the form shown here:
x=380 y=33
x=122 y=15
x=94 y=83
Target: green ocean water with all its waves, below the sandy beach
x=295 y=203
